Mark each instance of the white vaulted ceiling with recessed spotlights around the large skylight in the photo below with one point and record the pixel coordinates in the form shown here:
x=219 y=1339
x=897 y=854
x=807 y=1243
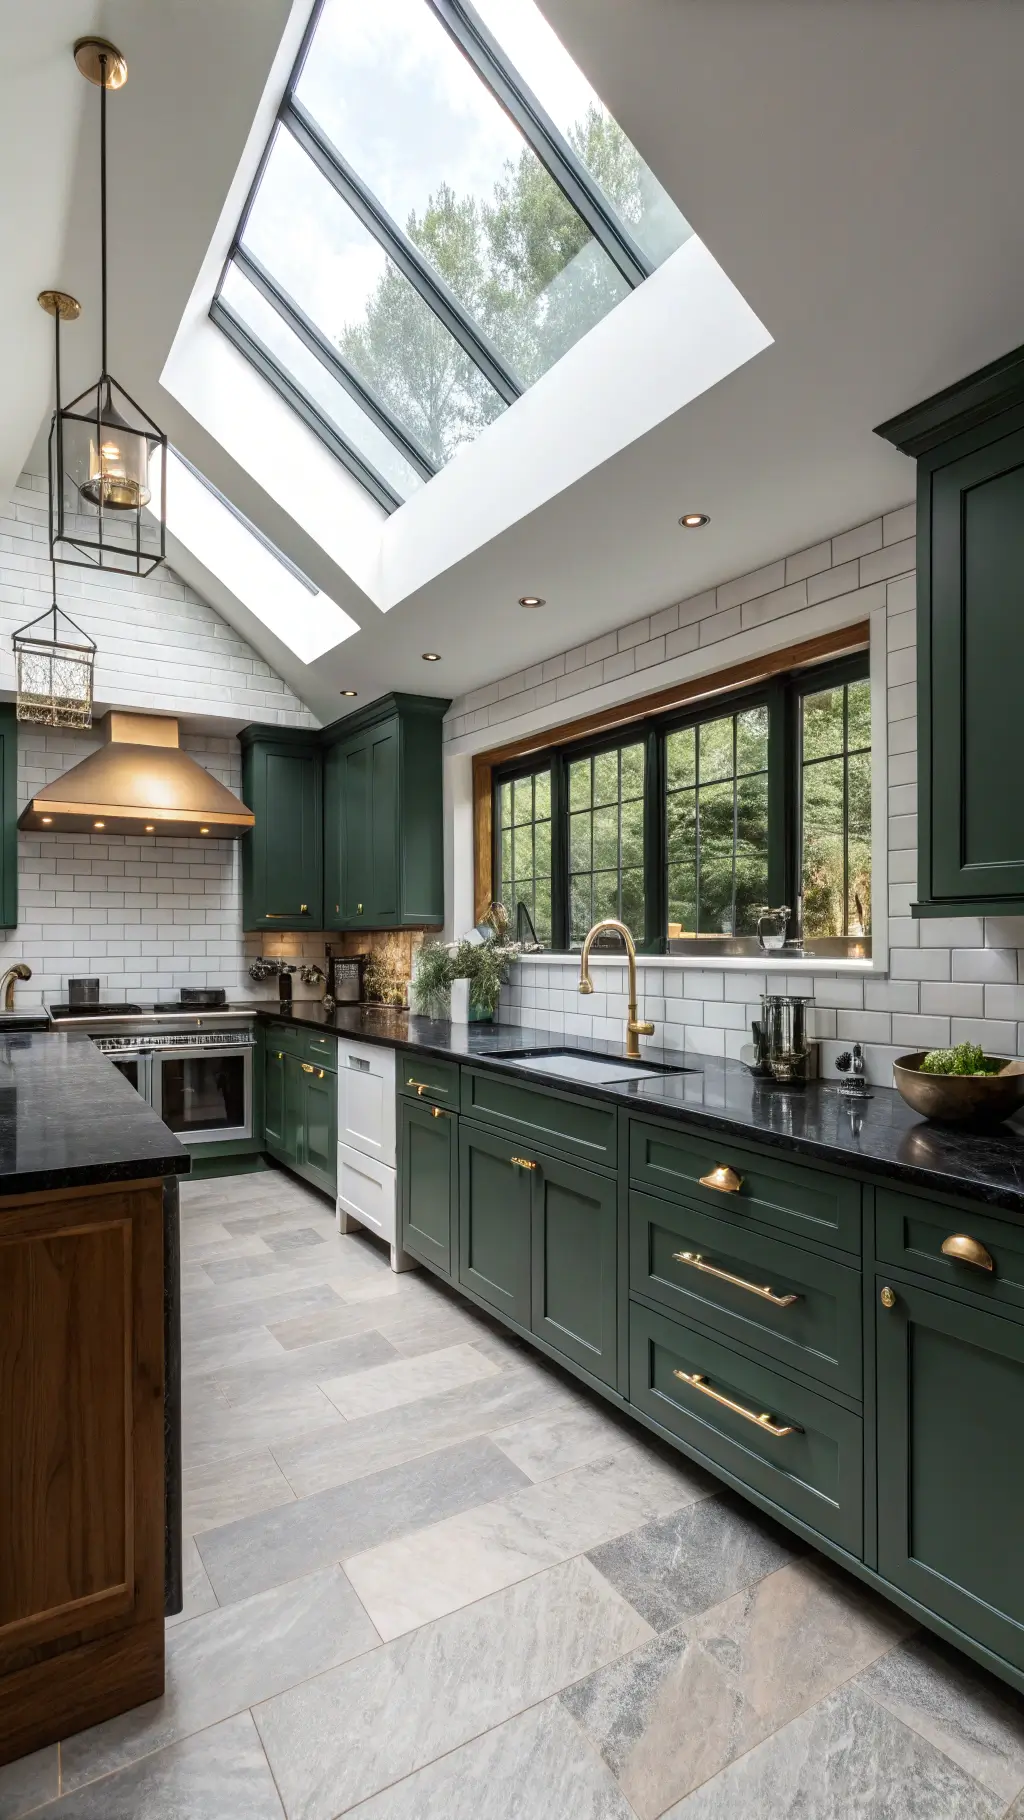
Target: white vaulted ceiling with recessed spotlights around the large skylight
x=854 y=170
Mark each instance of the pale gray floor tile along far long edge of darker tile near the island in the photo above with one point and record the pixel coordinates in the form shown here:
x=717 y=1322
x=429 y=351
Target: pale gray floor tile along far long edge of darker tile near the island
x=376 y=1442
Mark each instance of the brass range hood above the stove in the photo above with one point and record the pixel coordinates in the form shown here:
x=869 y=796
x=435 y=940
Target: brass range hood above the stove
x=137 y=784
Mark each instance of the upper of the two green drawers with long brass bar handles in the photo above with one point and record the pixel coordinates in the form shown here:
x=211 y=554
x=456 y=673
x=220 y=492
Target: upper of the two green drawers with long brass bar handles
x=794 y=1306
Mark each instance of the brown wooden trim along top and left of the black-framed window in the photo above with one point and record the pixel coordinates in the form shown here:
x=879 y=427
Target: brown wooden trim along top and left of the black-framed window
x=845 y=642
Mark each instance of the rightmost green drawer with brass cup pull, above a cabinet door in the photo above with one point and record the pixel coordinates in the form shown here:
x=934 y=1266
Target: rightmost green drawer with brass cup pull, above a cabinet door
x=912 y=1229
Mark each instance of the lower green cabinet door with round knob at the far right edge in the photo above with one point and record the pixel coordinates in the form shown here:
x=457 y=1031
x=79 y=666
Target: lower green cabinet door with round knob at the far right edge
x=952 y=1462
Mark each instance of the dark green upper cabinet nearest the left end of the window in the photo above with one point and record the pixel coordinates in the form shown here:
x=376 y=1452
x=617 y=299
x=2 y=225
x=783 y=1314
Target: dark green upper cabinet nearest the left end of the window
x=383 y=816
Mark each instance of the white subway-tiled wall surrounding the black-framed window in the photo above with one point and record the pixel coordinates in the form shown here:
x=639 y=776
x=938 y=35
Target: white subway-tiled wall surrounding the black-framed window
x=945 y=980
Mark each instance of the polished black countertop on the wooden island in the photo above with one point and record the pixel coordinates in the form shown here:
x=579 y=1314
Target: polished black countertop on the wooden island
x=68 y=1118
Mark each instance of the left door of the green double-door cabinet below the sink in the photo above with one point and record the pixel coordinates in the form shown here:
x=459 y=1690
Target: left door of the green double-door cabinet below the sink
x=496 y=1215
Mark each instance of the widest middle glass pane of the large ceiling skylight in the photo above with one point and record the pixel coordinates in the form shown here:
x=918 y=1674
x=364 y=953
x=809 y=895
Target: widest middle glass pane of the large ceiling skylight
x=410 y=114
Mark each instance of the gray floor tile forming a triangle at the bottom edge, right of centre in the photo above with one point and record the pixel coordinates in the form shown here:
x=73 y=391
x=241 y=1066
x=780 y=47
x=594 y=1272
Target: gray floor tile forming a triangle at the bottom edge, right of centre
x=848 y=1759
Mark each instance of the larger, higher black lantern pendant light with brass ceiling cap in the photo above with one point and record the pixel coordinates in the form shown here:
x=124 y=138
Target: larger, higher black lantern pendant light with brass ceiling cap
x=108 y=460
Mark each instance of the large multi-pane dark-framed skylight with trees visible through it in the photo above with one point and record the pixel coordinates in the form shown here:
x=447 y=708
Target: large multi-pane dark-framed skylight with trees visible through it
x=443 y=212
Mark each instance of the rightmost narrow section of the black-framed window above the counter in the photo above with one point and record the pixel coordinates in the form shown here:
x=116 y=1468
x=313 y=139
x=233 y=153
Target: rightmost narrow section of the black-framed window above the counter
x=836 y=807
